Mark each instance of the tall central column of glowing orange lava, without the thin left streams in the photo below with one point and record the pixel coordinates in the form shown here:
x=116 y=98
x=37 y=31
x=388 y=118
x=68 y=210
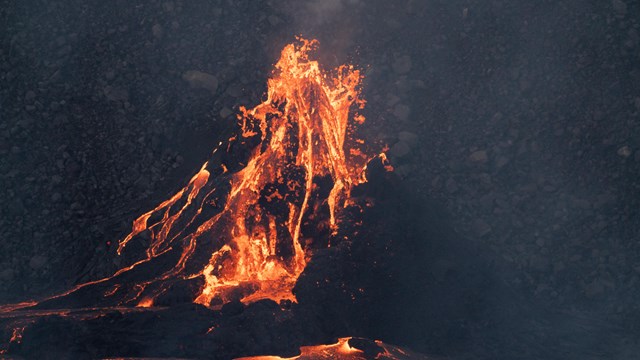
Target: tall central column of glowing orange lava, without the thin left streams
x=302 y=127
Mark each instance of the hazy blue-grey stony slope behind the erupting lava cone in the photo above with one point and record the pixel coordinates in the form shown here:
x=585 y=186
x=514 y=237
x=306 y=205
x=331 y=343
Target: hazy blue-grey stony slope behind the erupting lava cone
x=520 y=119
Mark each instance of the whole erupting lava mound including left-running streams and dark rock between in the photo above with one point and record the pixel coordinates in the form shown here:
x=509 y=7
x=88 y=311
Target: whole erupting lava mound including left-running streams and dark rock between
x=246 y=224
